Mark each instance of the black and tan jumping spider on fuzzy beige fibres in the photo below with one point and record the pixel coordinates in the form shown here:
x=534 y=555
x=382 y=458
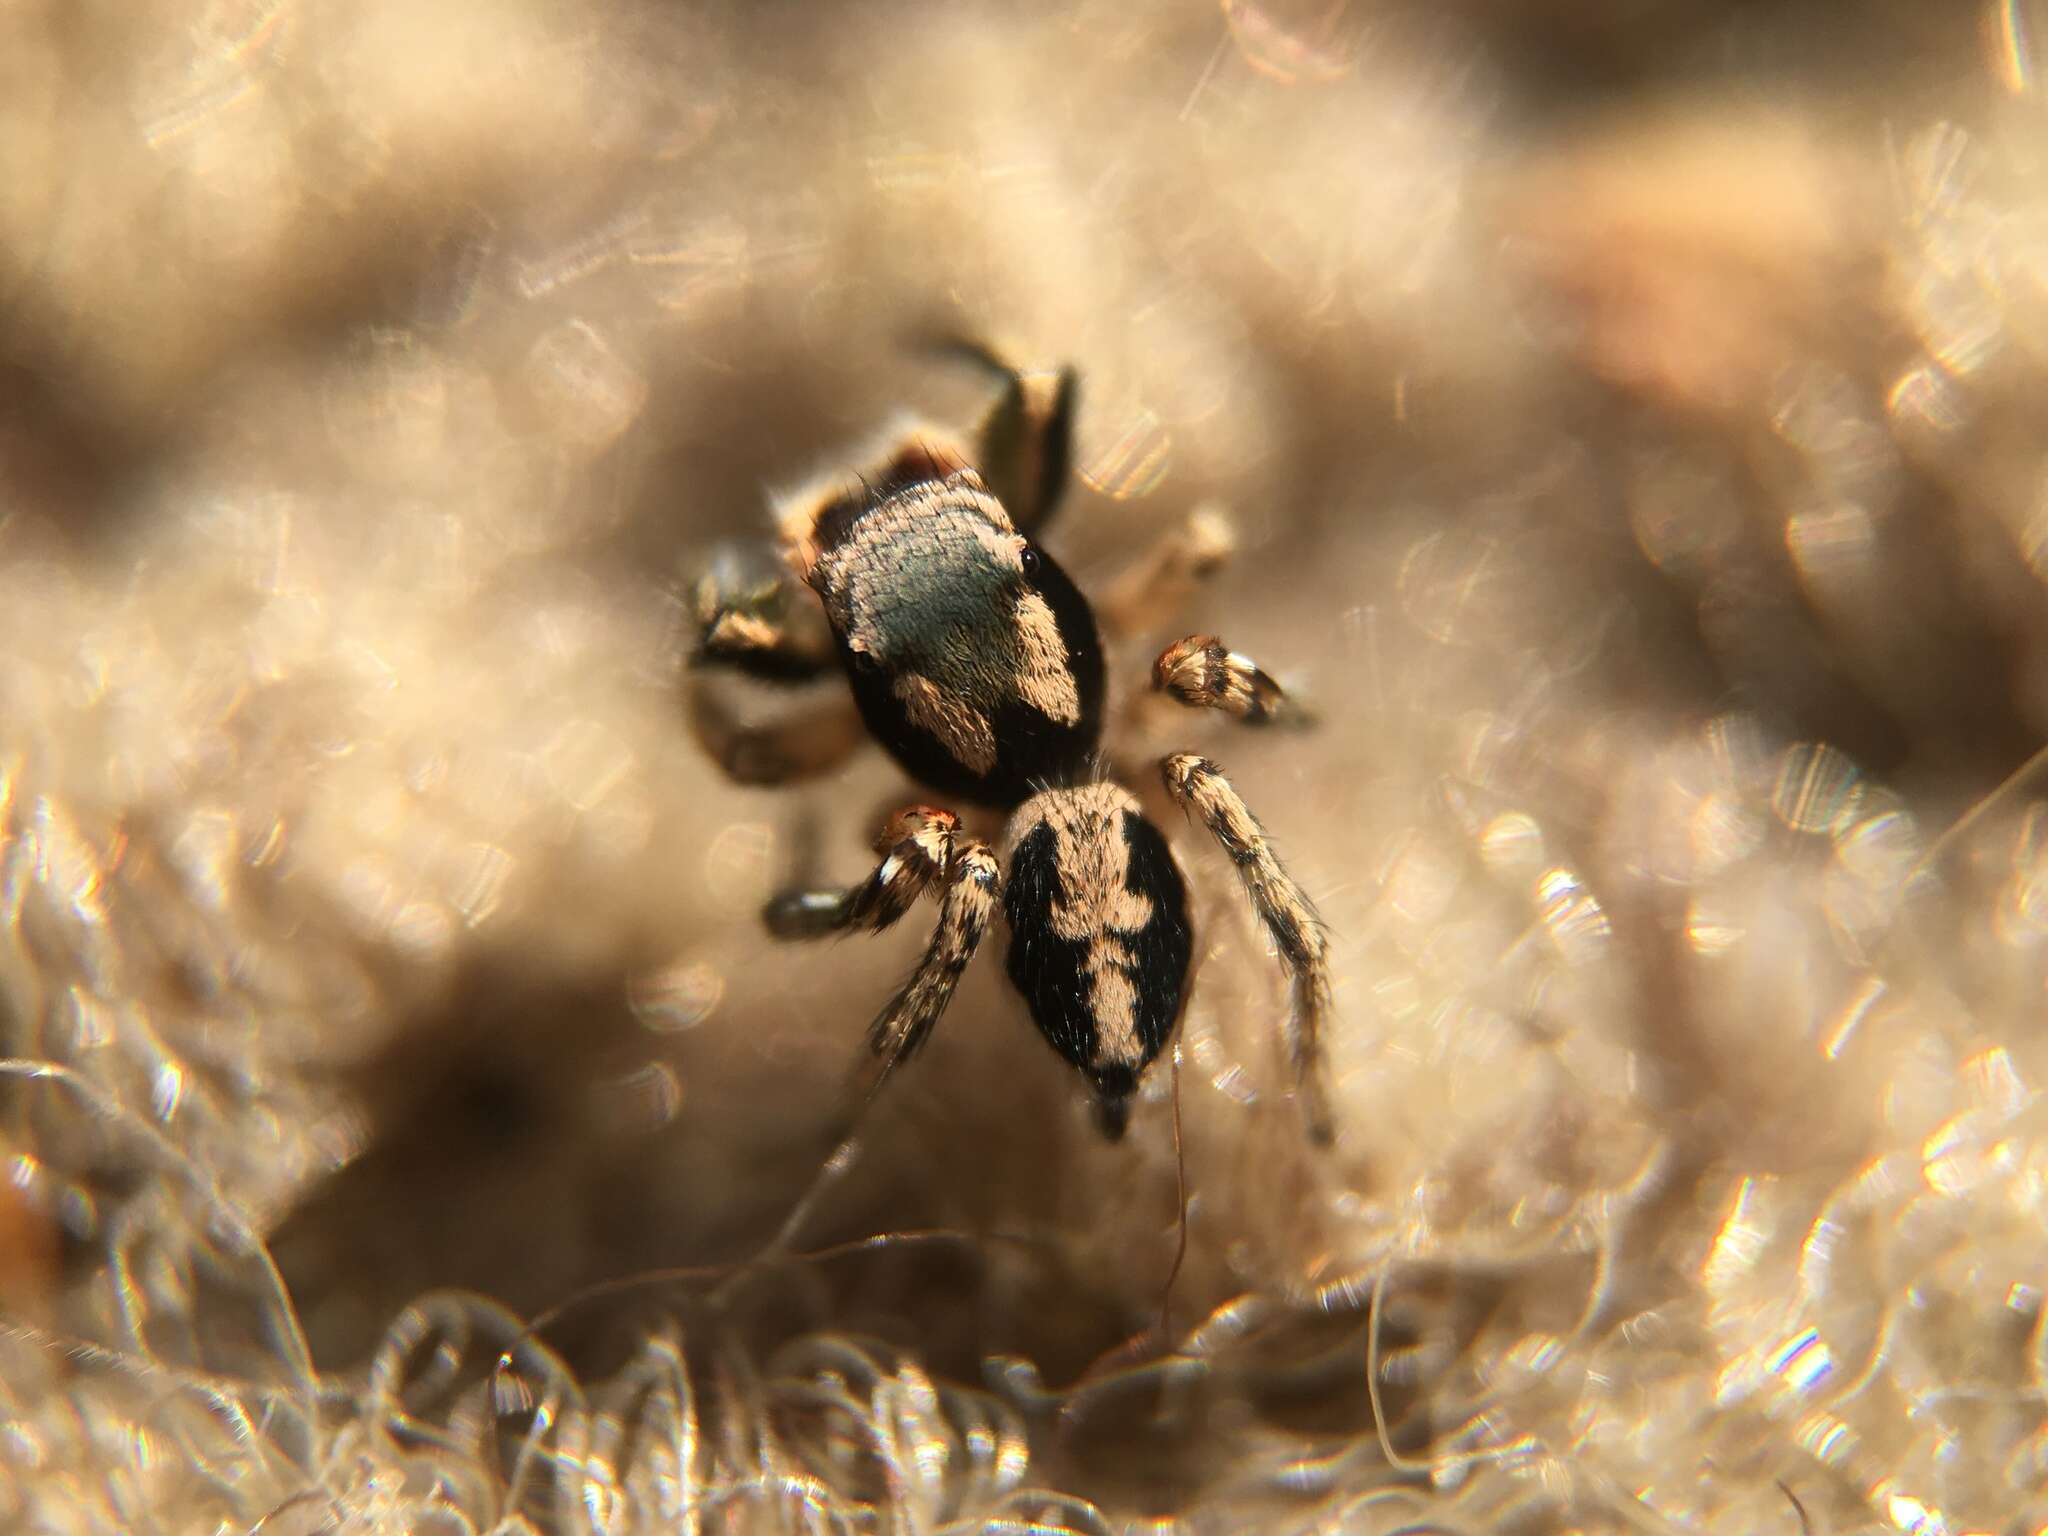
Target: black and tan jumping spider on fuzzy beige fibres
x=978 y=665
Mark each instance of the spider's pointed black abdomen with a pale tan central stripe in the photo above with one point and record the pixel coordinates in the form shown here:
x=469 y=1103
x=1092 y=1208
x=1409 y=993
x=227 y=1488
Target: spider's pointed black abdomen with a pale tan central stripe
x=1099 y=935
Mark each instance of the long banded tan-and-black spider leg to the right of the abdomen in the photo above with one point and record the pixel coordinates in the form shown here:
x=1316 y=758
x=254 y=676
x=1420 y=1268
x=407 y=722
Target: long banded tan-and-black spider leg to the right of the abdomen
x=1283 y=908
